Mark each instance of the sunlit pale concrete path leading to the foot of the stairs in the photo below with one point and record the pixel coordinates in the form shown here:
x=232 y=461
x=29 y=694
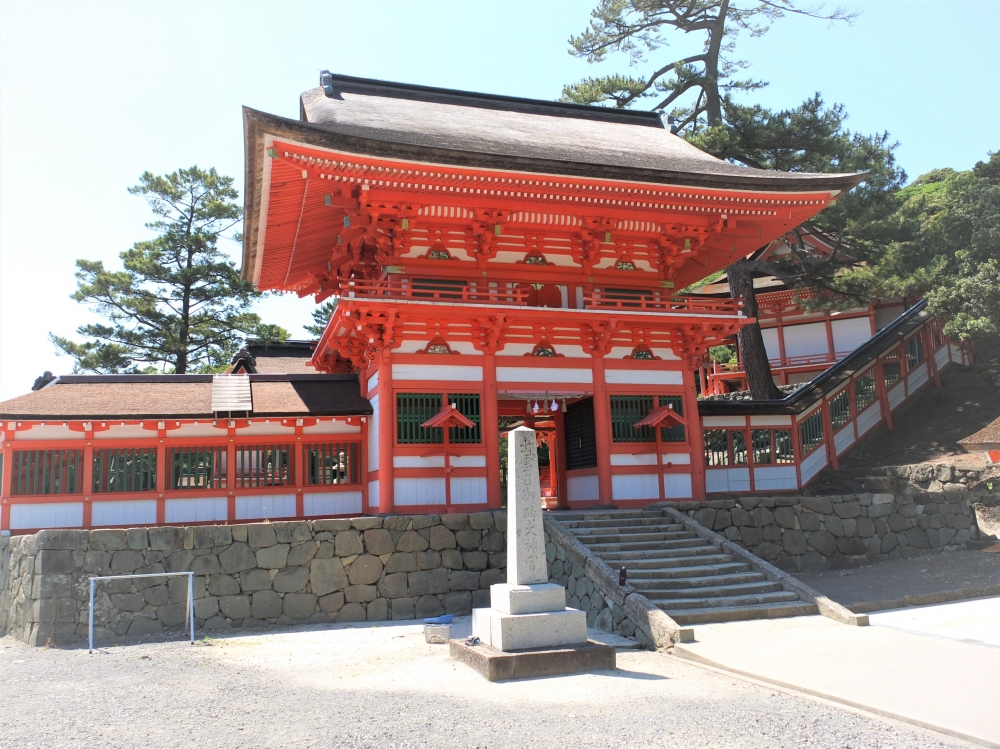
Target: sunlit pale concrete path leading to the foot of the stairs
x=928 y=674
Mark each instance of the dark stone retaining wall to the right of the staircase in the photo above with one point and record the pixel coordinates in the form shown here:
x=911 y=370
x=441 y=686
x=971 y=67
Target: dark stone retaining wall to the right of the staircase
x=803 y=534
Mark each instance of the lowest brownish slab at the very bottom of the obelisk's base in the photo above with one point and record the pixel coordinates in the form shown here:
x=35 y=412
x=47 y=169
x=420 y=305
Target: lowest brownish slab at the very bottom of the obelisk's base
x=495 y=665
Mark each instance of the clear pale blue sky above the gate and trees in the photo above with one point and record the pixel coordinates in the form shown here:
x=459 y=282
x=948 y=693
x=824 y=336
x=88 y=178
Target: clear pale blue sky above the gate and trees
x=92 y=94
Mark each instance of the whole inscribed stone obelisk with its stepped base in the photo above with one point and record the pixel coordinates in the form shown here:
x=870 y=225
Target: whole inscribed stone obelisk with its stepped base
x=528 y=629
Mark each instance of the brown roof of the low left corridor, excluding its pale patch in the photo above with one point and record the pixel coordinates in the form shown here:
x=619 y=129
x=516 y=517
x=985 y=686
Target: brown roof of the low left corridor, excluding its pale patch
x=183 y=396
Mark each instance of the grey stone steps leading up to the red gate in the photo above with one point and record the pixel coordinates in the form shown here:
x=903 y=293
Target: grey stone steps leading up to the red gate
x=688 y=577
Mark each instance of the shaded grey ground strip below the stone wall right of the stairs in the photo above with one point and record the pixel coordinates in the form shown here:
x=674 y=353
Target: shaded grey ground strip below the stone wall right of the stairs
x=928 y=573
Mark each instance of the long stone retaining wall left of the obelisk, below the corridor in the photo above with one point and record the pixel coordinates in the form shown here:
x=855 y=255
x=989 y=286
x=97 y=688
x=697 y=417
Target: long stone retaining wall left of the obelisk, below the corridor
x=347 y=570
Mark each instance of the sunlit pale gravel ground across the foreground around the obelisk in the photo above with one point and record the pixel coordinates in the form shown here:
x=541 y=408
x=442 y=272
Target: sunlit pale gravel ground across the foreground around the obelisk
x=382 y=686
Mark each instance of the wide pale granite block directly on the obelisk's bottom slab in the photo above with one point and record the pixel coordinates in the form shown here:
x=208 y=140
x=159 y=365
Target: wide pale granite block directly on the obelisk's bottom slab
x=509 y=632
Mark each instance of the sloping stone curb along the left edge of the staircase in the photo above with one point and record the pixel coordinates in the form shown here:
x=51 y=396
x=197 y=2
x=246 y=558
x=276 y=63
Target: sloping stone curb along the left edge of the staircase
x=654 y=622
